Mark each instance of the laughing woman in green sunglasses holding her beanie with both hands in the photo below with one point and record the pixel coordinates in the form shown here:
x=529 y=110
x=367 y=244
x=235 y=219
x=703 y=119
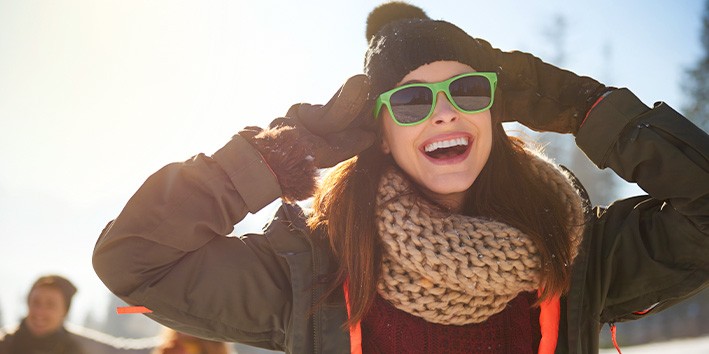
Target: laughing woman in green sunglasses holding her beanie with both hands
x=443 y=234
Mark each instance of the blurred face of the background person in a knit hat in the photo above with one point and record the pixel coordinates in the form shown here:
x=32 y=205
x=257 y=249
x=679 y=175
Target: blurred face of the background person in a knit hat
x=47 y=311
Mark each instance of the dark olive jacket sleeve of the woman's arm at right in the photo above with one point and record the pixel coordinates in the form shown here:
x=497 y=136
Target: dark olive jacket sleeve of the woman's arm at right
x=648 y=251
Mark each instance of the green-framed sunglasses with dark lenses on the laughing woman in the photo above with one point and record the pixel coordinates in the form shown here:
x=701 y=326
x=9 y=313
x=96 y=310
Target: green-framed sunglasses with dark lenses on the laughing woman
x=412 y=104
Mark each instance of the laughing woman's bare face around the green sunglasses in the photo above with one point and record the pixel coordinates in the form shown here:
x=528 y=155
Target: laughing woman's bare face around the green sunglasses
x=445 y=174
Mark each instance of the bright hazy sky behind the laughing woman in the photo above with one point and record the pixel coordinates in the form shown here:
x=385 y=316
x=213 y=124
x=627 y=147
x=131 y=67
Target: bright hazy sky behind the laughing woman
x=95 y=95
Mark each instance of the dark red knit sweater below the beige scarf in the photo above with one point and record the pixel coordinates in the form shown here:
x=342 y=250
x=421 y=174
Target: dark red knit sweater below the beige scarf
x=515 y=330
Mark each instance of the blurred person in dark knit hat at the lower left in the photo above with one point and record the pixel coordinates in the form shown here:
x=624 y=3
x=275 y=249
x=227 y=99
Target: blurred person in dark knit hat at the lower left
x=42 y=330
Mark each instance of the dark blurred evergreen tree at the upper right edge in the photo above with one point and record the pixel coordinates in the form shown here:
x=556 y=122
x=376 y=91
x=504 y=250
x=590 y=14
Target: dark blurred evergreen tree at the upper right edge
x=696 y=81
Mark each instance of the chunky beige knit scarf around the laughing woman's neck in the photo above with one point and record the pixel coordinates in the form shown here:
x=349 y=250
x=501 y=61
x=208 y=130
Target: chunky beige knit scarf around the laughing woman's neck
x=456 y=269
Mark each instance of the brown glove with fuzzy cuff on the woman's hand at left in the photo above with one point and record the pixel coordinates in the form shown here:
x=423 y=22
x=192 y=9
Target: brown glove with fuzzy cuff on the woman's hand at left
x=314 y=136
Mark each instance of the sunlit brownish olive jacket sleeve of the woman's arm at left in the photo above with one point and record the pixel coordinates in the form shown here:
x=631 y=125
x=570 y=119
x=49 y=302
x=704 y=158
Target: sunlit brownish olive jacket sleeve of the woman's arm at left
x=167 y=249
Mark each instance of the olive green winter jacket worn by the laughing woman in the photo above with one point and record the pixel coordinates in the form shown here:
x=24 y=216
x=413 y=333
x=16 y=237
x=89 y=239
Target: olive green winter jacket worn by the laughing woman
x=167 y=249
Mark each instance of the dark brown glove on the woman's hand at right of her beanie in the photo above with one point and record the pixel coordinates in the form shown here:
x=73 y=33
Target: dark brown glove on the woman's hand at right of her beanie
x=539 y=95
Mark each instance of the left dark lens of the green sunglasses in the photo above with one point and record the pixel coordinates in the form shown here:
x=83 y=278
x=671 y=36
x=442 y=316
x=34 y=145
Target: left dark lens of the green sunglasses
x=411 y=104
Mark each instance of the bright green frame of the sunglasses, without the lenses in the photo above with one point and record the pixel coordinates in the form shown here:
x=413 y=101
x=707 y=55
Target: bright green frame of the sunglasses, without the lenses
x=435 y=87
